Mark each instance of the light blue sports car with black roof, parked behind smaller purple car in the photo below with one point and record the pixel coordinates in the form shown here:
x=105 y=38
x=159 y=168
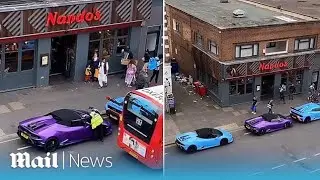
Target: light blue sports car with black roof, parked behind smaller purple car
x=203 y=139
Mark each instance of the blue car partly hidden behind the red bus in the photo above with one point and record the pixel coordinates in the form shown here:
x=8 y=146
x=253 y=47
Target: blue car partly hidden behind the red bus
x=114 y=107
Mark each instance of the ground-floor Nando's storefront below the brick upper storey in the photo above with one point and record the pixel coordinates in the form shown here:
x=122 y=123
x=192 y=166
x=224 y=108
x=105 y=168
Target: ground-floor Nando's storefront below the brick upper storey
x=238 y=81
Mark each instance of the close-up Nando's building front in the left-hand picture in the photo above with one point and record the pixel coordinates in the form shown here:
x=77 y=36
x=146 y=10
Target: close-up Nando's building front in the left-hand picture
x=43 y=39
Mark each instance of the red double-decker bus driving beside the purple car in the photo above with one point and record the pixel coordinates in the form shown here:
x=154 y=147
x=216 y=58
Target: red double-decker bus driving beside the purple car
x=141 y=126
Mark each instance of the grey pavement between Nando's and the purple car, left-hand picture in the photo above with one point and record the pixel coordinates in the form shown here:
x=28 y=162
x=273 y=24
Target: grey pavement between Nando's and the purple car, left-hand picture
x=19 y=105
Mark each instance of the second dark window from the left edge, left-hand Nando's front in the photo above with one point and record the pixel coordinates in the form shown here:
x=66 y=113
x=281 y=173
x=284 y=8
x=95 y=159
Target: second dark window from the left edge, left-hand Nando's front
x=28 y=54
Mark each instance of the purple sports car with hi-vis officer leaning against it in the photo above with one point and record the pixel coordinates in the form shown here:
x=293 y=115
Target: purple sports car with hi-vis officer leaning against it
x=59 y=128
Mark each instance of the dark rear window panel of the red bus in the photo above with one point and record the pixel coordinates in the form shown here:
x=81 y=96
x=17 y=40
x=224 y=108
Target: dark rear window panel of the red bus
x=140 y=117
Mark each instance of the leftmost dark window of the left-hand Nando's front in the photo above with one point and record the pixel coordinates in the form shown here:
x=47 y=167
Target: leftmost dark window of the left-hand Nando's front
x=11 y=57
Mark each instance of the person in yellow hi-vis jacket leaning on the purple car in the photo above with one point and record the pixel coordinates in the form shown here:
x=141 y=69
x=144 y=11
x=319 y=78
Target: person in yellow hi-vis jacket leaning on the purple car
x=96 y=125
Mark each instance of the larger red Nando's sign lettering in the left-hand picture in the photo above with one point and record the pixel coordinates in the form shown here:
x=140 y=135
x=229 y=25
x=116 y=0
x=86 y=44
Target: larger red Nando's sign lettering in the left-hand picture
x=55 y=19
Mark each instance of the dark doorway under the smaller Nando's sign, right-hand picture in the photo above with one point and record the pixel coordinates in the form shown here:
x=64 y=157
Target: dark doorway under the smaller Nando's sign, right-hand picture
x=267 y=87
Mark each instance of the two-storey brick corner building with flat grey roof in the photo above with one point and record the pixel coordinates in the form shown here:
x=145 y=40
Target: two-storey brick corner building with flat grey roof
x=243 y=48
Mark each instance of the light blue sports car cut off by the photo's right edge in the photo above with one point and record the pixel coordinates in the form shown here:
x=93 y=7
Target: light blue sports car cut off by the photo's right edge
x=306 y=113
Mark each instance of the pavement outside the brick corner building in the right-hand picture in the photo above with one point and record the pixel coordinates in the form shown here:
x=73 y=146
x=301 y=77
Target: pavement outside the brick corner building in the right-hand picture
x=194 y=112
